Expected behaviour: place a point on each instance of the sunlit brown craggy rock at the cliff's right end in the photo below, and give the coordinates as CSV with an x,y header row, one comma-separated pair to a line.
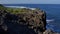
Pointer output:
x,y
36,21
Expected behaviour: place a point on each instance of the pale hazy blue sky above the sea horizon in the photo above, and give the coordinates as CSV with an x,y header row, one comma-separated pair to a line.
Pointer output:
x,y
30,1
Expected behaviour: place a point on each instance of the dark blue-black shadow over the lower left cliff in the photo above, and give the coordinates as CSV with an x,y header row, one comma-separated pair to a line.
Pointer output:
x,y
10,21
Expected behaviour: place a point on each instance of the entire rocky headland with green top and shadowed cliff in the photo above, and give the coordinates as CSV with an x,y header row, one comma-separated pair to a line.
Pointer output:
x,y
23,21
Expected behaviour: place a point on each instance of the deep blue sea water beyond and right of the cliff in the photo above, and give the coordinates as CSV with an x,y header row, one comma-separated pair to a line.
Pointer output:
x,y
52,11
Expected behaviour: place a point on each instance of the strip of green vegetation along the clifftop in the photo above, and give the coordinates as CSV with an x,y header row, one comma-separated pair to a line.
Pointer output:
x,y
16,10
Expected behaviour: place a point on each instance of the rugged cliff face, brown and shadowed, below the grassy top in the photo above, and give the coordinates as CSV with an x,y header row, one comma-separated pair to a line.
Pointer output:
x,y
35,22
